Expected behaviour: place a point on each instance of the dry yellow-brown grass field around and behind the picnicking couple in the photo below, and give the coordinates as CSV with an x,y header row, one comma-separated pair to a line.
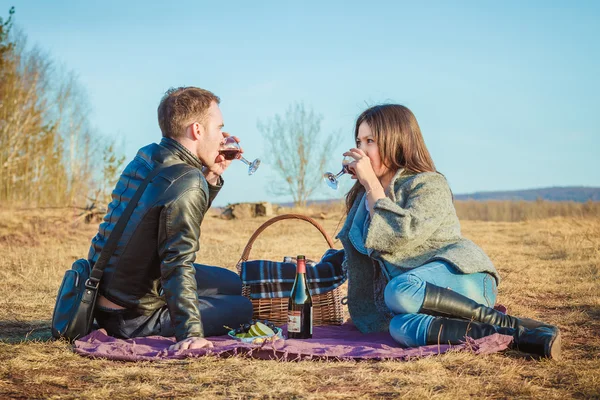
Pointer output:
x,y
551,271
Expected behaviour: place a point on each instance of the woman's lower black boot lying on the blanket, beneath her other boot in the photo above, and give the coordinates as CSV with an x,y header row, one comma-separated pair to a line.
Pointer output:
x,y
540,341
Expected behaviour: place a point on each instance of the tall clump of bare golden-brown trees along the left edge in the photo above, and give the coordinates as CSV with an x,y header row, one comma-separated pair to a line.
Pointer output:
x,y
48,153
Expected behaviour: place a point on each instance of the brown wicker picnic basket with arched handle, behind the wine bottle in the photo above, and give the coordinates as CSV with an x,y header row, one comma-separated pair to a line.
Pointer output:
x,y
327,307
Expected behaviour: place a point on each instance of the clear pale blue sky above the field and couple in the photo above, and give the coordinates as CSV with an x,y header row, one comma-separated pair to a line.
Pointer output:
x,y
507,93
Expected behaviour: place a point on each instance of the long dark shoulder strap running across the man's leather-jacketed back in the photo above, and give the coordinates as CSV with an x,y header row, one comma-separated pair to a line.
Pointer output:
x,y
113,239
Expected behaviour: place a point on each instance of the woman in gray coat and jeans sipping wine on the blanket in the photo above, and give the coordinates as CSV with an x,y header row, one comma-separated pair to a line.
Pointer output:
x,y
409,269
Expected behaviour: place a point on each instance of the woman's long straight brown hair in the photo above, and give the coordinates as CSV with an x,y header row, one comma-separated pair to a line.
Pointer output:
x,y
401,145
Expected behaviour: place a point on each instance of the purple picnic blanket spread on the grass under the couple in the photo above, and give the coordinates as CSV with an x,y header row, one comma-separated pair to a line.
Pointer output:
x,y
343,342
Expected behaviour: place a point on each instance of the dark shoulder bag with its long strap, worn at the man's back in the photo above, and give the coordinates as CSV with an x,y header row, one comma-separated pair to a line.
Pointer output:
x,y
74,309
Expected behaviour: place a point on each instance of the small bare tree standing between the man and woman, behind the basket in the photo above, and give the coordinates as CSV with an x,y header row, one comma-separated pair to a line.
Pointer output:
x,y
297,150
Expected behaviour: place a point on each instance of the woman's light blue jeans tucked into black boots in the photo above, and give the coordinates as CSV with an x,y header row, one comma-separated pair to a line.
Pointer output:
x,y
405,293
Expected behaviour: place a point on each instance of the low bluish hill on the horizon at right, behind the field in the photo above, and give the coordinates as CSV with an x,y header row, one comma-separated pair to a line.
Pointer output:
x,y
575,193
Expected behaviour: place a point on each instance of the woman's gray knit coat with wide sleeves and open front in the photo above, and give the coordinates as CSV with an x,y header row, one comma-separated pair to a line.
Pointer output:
x,y
414,225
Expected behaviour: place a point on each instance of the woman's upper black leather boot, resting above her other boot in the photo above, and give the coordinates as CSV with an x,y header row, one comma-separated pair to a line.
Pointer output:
x,y
444,302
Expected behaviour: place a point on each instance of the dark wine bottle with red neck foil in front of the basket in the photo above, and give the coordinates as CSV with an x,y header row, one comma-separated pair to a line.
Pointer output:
x,y
300,305
